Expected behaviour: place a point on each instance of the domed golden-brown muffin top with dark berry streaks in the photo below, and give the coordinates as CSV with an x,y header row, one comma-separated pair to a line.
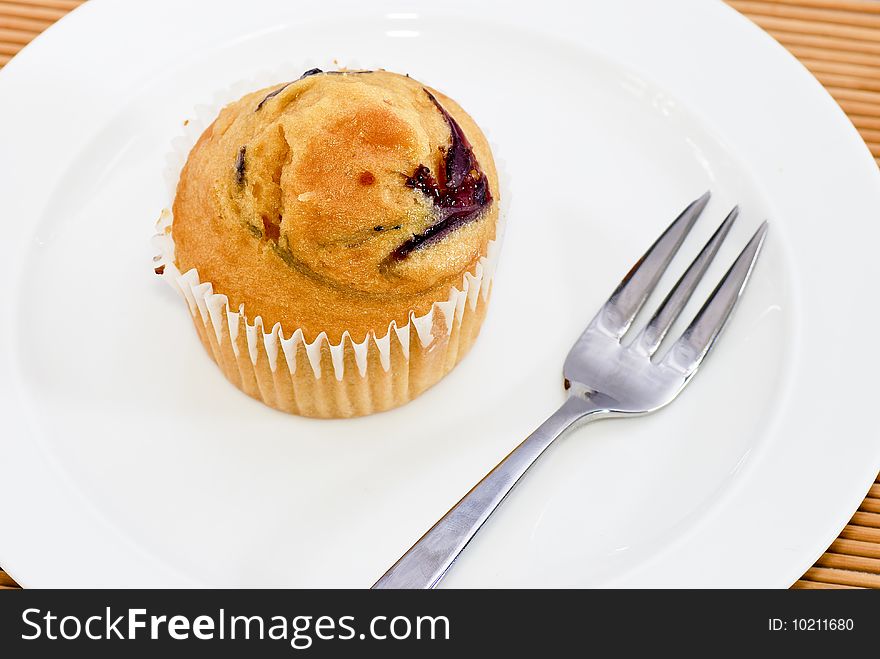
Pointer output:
x,y
340,201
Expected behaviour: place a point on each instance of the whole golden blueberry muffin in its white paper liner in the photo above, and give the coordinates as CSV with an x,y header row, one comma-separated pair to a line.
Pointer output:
x,y
335,235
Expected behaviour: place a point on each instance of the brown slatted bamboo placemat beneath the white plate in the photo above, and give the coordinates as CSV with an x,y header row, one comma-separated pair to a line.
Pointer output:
x,y
839,41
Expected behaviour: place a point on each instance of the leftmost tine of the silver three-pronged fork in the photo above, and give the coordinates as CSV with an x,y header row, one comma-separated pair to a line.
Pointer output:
x,y
618,312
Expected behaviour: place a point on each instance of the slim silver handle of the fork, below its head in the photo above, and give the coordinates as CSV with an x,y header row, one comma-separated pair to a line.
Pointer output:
x,y
424,565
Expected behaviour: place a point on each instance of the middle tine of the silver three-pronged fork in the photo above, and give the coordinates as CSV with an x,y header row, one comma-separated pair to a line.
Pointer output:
x,y
652,335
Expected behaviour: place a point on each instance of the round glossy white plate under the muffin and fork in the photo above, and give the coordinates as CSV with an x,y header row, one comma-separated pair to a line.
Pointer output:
x,y
128,459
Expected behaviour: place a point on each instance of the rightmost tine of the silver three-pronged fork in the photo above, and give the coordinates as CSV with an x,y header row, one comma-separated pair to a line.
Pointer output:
x,y
698,339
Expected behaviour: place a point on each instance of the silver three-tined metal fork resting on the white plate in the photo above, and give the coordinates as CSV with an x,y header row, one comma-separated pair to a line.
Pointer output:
x,y
604,377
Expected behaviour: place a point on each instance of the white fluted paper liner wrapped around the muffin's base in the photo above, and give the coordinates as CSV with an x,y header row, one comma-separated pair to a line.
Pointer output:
x,y
320,378
